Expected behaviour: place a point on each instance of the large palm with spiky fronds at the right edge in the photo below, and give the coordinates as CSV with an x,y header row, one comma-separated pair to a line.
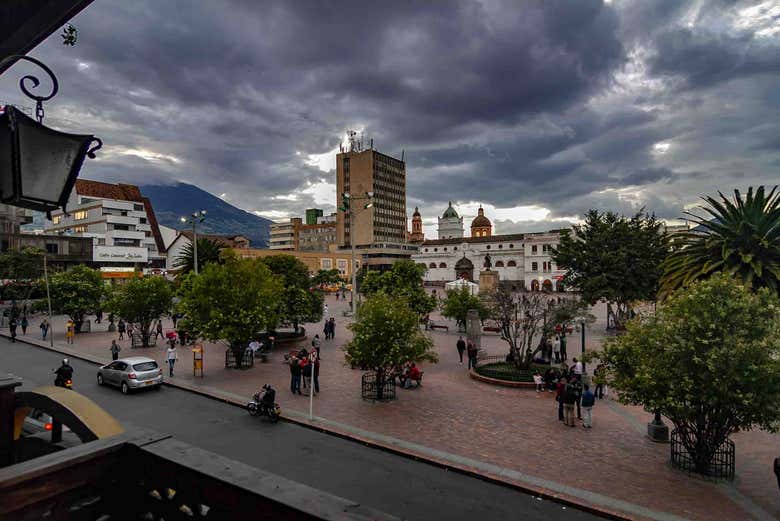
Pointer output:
x,y
739,236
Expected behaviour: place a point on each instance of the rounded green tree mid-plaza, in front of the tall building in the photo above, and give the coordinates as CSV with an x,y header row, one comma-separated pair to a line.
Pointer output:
x,y
386,334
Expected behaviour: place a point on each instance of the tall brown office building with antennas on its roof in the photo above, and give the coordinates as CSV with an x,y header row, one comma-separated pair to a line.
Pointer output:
x,y
380,231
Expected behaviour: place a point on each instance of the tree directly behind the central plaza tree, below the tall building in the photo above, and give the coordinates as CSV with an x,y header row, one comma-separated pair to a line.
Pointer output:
x,y
402,280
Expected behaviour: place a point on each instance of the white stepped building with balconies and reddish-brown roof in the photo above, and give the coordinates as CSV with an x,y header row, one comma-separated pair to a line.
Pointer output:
x,y
120,221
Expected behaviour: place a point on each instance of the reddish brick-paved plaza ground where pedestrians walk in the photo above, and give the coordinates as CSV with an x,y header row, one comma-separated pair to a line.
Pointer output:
x,y
507,434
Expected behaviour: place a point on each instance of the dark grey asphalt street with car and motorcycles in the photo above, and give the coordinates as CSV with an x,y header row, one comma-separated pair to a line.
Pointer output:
x,y
390,483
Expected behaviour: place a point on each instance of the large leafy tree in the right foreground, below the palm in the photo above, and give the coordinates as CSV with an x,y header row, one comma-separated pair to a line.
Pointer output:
x,y
709,360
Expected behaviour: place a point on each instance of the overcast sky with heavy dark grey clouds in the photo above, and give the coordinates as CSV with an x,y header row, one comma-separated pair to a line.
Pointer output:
x,y
538,110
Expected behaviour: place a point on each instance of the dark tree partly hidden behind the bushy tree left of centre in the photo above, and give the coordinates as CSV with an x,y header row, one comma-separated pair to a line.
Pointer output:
x,y
299,304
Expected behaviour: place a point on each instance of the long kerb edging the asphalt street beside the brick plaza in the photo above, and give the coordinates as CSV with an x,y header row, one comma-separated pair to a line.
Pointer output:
x,y
443,464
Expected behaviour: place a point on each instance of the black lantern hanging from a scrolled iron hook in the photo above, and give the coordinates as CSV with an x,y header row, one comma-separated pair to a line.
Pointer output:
x,y
38,165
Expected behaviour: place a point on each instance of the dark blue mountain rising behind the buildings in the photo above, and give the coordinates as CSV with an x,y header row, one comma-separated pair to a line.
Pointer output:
x,y
171,202
